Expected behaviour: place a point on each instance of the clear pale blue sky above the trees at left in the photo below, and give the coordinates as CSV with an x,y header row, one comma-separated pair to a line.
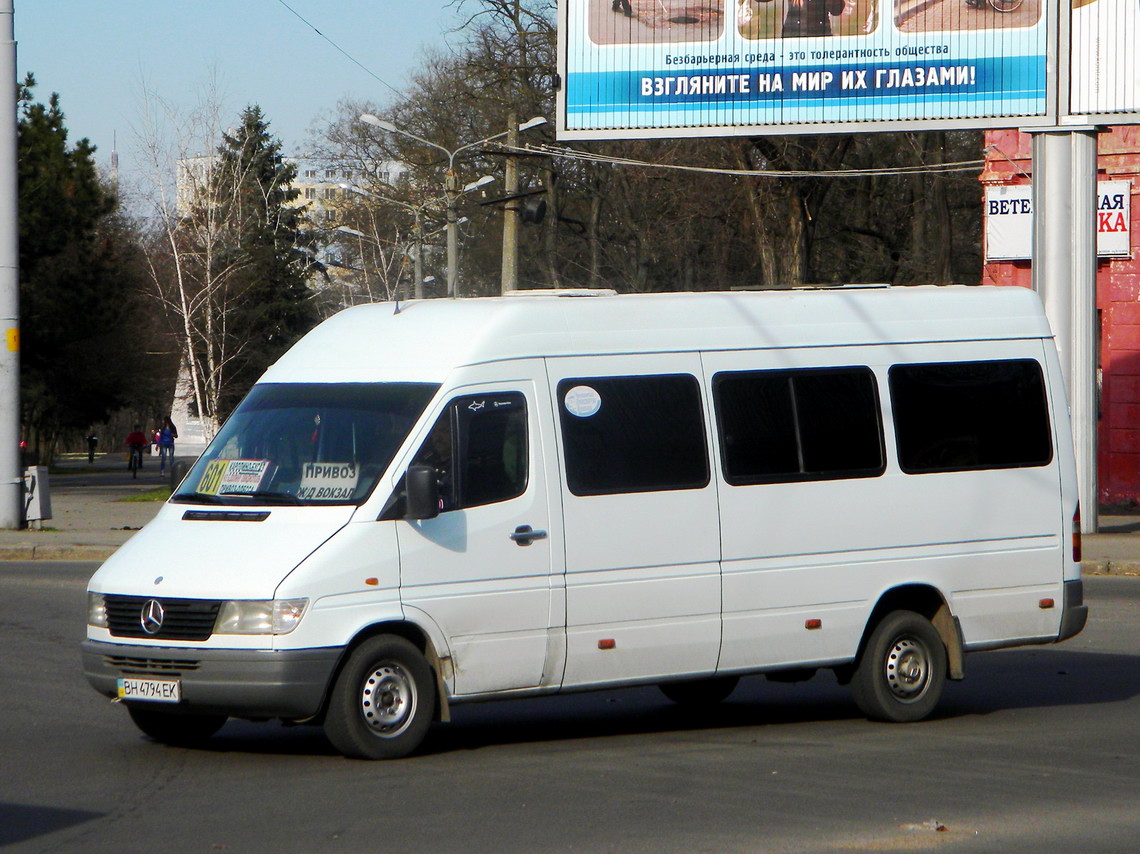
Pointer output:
x,y
102,55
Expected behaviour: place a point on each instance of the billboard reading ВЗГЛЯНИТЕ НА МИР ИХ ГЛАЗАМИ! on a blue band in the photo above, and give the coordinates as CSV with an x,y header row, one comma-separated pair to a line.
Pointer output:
x,y
720,68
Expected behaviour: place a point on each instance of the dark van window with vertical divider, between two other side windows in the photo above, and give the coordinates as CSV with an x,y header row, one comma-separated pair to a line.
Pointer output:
x,y
794,426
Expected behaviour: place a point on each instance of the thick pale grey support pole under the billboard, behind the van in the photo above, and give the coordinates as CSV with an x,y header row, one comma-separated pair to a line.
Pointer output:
x,y
1065,278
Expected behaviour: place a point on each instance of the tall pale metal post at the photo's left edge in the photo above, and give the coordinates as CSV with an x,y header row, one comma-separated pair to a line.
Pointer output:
x,y
11,476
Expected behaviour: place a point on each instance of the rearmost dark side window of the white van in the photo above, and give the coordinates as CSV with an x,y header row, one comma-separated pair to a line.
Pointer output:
x,y
970,416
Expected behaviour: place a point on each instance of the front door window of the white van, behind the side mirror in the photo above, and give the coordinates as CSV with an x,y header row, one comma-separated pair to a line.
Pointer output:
x,y
479,449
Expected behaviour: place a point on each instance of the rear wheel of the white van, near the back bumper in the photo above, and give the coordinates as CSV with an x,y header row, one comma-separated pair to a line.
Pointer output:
x,y
902,673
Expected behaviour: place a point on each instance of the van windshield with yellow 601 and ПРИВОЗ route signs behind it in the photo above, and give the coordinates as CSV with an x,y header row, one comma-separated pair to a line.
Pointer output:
x,y
306,444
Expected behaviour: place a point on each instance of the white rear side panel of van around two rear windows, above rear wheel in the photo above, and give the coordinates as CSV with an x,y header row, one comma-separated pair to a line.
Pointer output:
x,y
827,550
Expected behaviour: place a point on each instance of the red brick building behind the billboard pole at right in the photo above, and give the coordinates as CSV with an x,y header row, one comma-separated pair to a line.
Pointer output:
x,y
1008,162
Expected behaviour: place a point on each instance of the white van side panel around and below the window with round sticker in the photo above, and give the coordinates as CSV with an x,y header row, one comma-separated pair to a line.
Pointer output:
x,y
642,573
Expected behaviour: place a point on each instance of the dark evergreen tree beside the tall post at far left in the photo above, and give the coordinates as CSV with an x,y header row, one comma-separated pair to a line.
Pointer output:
x,y
83,320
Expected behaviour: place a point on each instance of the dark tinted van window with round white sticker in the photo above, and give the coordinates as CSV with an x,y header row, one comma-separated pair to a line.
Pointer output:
x,y
633,434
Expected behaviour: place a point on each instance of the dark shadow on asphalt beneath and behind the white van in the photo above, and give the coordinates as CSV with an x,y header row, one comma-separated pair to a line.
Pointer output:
x,y
996,682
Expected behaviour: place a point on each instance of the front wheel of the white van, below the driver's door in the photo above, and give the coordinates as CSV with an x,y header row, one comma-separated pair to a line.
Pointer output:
x,y
382,702
